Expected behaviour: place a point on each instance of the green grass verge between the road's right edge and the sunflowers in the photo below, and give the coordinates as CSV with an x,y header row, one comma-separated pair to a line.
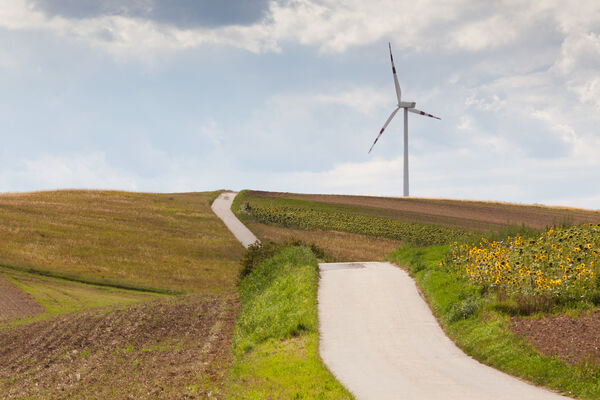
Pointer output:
x,y
472,320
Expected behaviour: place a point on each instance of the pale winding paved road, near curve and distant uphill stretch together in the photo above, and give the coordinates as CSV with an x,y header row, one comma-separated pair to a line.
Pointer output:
x,y
381,341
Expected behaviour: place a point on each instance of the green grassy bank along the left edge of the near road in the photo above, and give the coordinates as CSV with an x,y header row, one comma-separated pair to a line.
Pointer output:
x,y
276,335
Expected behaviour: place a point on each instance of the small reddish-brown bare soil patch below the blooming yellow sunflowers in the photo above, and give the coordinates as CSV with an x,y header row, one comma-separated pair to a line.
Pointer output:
x,y
572,339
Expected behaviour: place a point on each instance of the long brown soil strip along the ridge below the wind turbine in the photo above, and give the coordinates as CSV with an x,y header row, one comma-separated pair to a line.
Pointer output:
x,y
469,214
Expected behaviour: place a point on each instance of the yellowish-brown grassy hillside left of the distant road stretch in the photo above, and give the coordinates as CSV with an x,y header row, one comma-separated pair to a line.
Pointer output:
x,y
134,240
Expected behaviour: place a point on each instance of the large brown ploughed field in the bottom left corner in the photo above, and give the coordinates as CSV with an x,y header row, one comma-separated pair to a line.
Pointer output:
x,y
169,348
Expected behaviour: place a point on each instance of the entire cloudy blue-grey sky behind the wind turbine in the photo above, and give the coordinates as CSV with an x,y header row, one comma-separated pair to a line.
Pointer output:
x,y
288,95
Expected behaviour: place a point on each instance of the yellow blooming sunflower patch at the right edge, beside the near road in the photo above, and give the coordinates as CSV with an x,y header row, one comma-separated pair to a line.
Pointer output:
x,y
557,263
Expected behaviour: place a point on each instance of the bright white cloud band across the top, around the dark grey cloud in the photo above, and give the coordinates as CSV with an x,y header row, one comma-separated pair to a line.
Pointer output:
x,y
330,25
